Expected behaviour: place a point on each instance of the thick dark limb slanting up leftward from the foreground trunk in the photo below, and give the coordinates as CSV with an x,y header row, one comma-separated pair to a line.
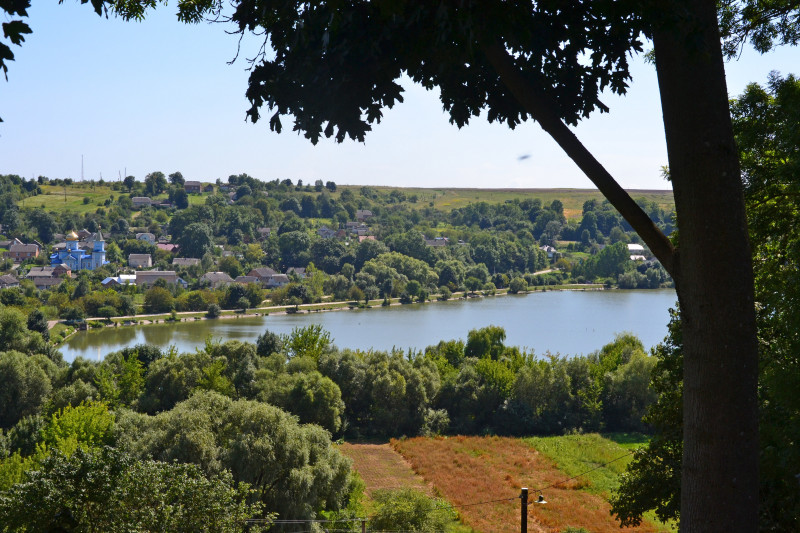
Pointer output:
x,y
539,108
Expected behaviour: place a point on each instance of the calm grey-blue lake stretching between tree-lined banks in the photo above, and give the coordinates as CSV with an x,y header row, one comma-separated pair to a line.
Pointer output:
x,y
566,322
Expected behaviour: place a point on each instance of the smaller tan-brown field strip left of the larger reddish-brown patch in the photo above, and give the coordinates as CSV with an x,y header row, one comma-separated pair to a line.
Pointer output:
x,y
382,468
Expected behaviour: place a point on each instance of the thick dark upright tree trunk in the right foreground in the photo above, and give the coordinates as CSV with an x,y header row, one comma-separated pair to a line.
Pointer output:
x,y
714,278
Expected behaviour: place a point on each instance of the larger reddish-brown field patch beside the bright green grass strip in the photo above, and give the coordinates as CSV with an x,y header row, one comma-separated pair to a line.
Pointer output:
x,y
470,470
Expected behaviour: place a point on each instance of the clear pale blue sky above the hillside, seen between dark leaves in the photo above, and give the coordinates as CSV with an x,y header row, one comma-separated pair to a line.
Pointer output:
x,y
159,95
